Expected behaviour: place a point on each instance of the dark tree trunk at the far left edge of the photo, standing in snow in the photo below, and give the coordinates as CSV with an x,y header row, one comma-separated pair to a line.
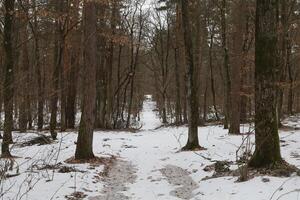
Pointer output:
x,y
8,91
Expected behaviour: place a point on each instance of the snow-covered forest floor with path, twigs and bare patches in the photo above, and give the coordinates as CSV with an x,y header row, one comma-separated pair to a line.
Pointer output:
x,y
146,165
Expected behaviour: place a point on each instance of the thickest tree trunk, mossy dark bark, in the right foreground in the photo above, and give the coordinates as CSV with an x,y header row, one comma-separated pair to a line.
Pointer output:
x,y
267,72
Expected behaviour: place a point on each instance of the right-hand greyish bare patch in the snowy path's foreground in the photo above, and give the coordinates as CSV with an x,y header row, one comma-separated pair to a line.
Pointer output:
x,y
181,178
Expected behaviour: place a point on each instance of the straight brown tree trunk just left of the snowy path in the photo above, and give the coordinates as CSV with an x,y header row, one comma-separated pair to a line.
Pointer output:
x,y
84,147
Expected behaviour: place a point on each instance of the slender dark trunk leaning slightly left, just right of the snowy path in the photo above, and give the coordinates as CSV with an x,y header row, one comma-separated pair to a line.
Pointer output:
x,y
193,142
